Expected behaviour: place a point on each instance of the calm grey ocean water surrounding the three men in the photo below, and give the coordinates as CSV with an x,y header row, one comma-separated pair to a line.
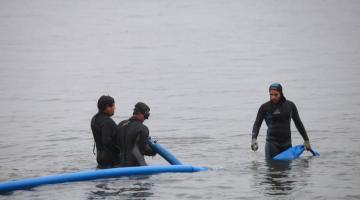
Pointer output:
x,y
204,68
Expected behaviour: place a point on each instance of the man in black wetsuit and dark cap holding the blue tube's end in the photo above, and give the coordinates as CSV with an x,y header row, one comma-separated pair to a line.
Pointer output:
x,y
132,138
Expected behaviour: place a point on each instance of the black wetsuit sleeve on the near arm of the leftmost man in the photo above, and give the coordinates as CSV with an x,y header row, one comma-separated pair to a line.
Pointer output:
x,y
108,133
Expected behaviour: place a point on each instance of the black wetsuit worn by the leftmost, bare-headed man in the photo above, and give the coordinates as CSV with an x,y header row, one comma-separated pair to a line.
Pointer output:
x,y
104,132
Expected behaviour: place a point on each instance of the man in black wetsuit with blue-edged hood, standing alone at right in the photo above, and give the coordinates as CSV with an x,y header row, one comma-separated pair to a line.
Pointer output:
x,y
277,114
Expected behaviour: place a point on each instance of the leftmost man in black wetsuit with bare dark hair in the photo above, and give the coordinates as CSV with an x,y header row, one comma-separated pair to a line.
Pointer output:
x,y
104,132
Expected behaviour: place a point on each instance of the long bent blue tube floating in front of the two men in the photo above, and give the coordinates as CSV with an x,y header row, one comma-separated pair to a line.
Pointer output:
x,y
176,166
